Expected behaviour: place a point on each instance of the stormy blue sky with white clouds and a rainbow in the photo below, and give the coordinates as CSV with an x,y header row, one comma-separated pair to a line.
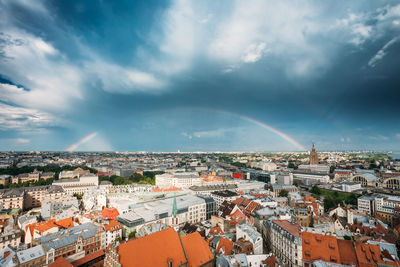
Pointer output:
x,y
199,75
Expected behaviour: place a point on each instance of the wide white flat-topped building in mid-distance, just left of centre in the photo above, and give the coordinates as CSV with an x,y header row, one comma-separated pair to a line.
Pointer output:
x,y
178,179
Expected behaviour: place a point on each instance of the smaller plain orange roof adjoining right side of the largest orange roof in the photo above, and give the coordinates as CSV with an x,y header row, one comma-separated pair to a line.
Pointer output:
x,y
197,249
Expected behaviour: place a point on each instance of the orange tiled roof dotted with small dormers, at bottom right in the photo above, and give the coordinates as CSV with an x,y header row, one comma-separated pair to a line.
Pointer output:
x,y
320,247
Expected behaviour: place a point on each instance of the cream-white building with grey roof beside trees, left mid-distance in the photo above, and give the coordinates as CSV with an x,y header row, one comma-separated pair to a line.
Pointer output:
x,y
78,185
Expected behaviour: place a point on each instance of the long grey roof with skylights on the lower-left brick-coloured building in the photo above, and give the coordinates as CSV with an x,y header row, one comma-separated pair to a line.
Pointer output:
x,y
68,236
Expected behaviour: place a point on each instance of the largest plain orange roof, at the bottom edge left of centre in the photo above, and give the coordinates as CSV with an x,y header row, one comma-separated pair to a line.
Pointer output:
x,y
153,250
